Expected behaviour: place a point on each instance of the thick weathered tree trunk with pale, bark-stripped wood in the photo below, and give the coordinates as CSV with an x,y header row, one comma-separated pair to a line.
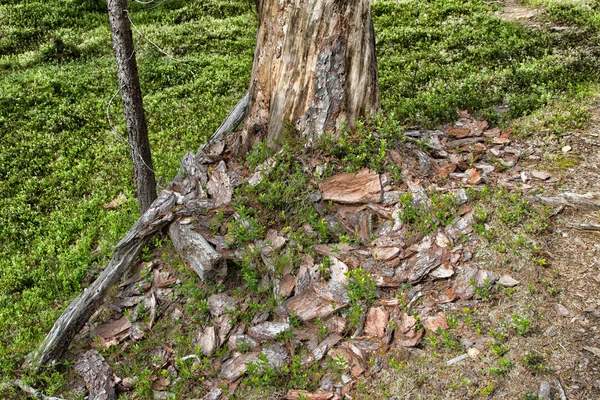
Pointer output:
x,y
314,65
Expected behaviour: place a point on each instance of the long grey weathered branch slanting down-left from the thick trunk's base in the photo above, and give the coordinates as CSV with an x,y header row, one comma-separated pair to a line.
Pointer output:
x,y
170,205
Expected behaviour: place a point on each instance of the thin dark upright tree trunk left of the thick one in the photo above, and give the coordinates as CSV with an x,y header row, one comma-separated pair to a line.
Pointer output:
x,y
131,96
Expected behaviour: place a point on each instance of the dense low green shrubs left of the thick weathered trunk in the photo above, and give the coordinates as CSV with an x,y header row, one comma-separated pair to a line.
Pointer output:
x,y
59,160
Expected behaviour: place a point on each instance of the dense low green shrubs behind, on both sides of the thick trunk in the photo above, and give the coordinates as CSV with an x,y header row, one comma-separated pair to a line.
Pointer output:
x,y
60,161
